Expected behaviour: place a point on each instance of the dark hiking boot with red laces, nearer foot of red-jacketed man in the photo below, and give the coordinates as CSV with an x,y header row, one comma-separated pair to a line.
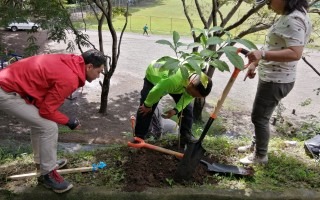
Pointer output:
x,y
54,181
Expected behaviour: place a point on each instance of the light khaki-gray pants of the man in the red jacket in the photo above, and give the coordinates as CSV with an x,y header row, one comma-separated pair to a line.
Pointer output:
x,y
44,133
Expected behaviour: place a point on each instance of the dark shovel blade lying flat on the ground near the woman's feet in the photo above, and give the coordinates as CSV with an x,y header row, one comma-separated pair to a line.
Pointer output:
x,y
228,169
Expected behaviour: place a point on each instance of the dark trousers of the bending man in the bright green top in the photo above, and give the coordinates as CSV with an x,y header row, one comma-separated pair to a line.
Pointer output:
x,y
143,122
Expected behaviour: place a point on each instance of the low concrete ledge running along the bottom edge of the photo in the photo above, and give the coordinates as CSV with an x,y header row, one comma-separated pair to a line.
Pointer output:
x,y
97,193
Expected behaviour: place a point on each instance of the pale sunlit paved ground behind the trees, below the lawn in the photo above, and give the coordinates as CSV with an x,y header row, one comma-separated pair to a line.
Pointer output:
x,y
137,51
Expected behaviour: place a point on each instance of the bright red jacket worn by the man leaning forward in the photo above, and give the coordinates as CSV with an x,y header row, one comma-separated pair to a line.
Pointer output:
x,y
45,81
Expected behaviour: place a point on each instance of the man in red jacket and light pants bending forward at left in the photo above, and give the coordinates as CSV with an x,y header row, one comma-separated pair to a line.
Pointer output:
x,y
34,88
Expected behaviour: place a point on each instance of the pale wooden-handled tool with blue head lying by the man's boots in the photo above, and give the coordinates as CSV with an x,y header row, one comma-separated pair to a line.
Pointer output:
x,y
94,167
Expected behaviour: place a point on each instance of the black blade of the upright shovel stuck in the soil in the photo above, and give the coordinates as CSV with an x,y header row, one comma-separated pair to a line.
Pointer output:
x,y
189,162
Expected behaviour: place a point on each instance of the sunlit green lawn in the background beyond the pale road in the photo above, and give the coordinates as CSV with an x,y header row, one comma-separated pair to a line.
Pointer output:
x,y
166,16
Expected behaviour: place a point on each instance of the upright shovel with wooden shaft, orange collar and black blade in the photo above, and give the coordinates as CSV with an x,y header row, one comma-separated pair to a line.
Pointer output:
x,y
195,151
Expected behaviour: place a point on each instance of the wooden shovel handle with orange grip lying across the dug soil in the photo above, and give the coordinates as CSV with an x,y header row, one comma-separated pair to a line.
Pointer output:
x,y
140,143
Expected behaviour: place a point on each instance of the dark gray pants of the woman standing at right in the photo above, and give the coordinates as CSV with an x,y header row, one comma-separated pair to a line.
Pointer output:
x,y
267,98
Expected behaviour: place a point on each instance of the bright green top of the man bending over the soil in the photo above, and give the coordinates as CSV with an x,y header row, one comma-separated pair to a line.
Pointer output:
x,y
165,84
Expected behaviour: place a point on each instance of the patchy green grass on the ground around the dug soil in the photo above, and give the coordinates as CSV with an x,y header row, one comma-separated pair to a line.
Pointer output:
x,y
288,167
